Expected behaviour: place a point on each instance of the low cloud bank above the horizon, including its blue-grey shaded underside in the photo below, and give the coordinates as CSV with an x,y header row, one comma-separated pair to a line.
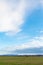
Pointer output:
x,y
34,45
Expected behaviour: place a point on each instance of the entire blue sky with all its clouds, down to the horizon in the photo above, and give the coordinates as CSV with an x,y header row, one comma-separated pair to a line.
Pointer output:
x,y
21,27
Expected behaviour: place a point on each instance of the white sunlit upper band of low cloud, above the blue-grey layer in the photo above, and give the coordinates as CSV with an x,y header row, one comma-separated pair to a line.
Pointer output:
x,y
34,43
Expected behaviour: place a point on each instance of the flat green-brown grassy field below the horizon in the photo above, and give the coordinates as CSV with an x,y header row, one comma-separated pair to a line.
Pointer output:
x,y
21,60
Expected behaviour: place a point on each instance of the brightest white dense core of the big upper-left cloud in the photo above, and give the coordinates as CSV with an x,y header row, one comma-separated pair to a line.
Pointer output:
x,y
9,20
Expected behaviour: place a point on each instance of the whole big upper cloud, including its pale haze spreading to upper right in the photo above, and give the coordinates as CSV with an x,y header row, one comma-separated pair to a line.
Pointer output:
x,y
12,14
